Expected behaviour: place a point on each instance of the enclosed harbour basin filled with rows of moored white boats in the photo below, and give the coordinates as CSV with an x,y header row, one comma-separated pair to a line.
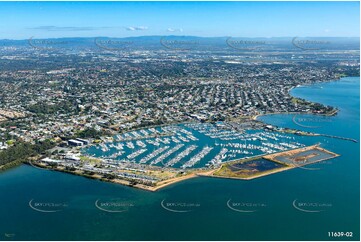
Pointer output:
x,y
192,145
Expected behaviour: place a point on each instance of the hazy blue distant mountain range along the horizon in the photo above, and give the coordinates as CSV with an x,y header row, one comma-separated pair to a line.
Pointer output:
x,y
189,42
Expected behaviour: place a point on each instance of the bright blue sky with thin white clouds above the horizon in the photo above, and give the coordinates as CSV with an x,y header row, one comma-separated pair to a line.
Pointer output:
x,y
22,20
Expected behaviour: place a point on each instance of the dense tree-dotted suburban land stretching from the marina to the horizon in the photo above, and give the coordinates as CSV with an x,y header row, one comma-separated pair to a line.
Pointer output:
x,y
53,100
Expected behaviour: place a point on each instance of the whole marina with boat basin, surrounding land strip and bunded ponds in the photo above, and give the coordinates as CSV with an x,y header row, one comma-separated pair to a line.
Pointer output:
x,y
153,158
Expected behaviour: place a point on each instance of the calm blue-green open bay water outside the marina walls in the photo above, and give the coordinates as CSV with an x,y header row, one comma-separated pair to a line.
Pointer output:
x,y
332,187
